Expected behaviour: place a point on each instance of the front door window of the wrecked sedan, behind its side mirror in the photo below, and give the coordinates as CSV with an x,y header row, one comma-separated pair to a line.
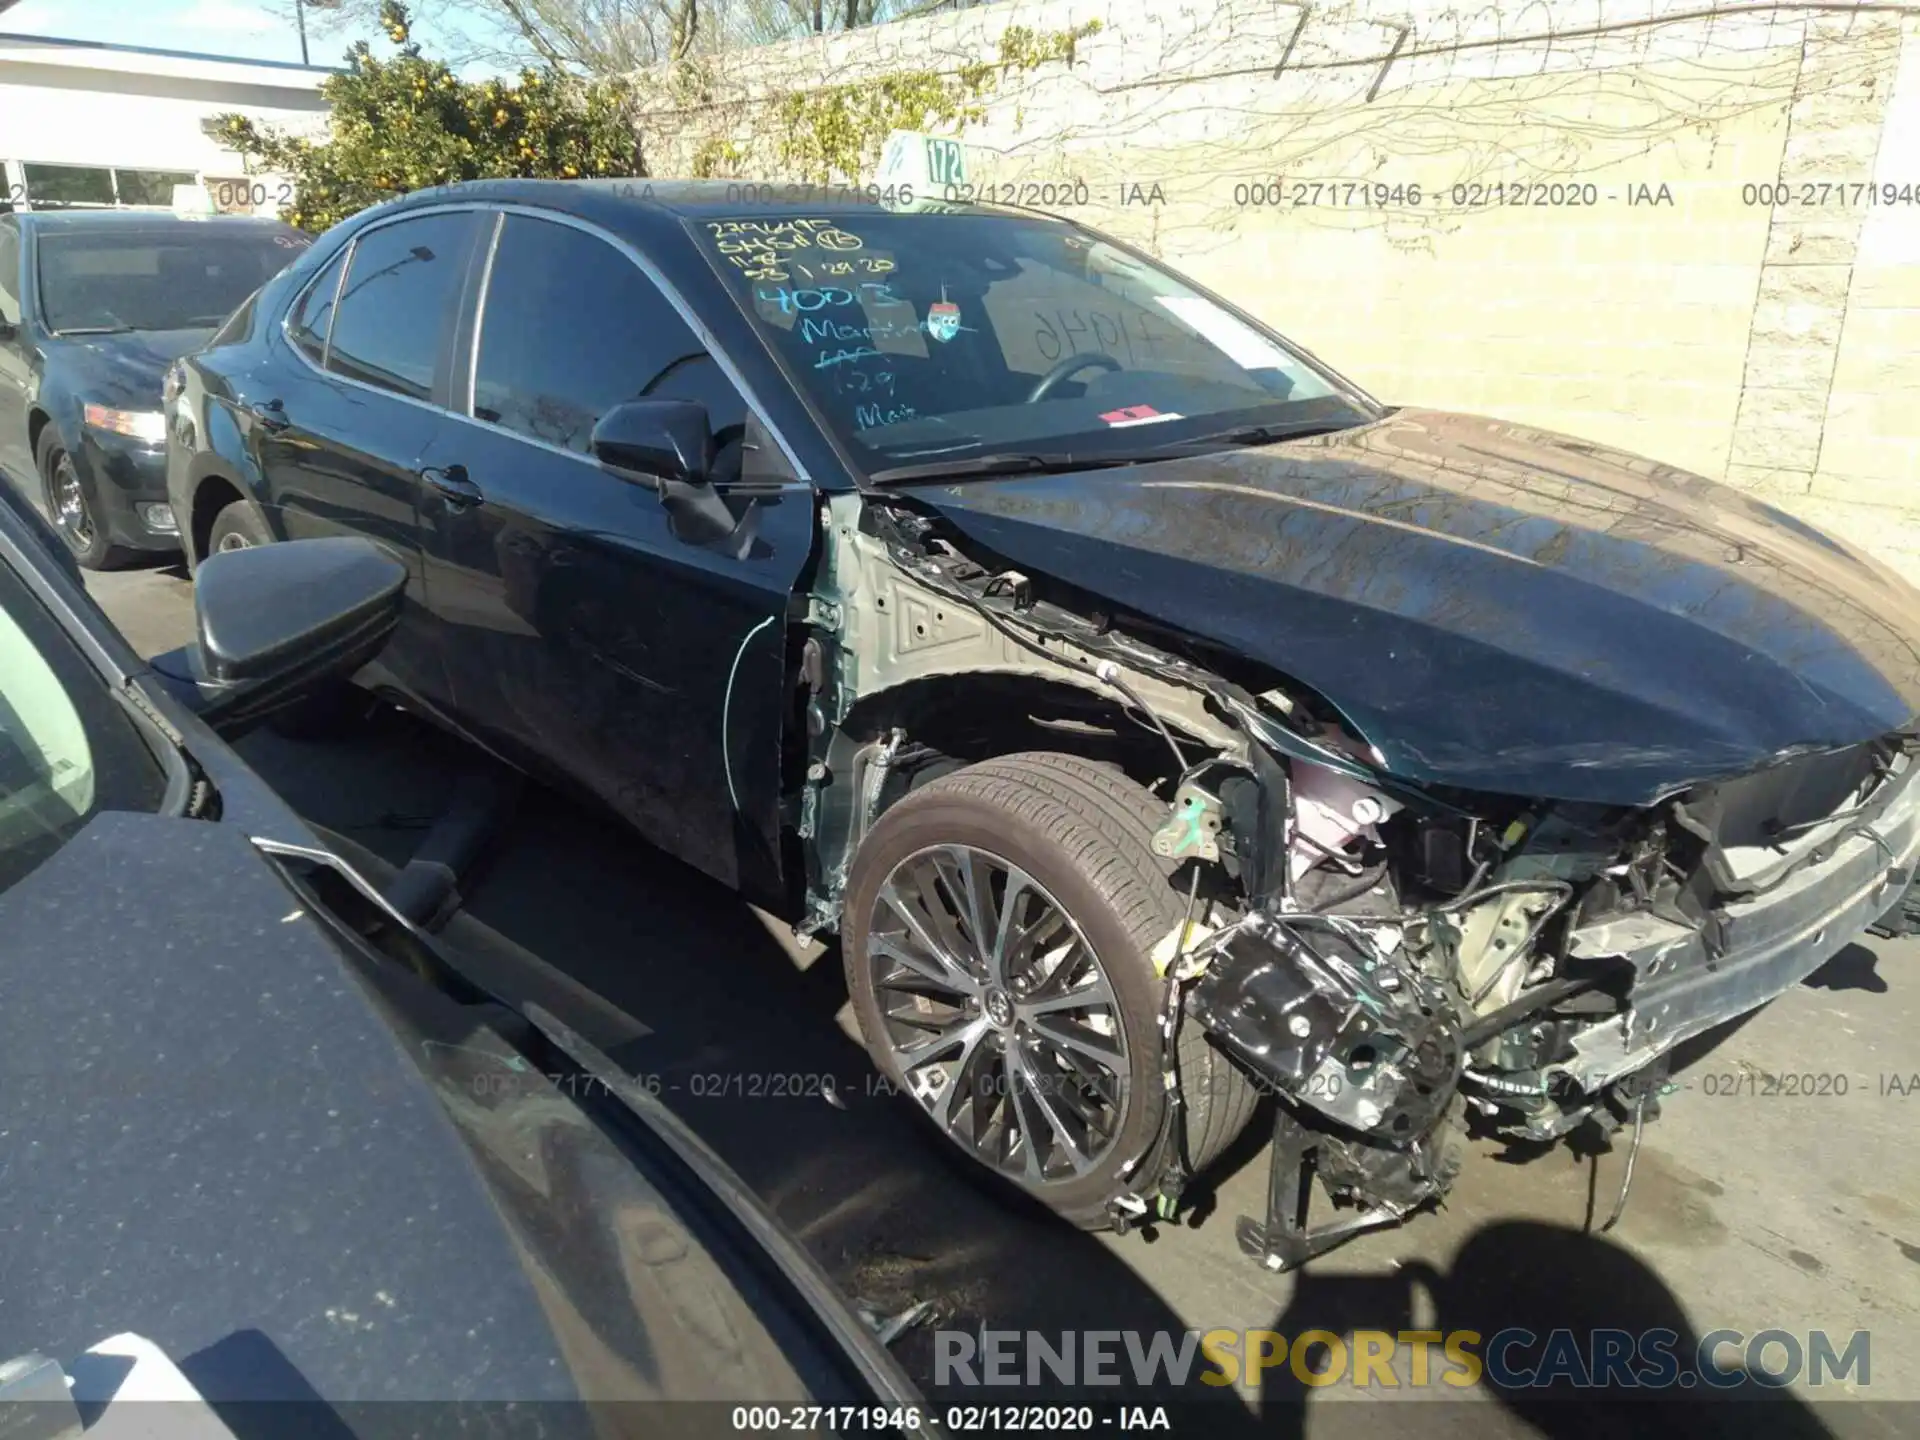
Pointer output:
x,y
573,327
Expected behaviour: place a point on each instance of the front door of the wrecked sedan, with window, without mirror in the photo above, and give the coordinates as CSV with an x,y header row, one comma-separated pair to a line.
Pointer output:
x,y
594,642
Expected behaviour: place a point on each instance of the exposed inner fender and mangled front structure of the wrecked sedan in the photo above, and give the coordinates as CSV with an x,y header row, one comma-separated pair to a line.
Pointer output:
x,y
1395,963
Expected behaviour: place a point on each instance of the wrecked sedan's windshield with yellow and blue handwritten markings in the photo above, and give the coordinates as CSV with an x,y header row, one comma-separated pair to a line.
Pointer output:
x,y
938,337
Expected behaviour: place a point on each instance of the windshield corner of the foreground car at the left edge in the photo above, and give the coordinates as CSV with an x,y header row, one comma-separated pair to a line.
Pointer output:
x,y
66,750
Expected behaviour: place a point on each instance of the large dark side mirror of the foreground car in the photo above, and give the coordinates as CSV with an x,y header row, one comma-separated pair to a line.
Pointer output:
x,y
279,621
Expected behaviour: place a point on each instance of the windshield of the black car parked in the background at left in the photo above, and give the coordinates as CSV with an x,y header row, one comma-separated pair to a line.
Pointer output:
x,y
180,279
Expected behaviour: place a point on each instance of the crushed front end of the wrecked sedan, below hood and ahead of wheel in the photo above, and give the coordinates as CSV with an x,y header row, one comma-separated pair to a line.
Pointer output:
x,y
1408,963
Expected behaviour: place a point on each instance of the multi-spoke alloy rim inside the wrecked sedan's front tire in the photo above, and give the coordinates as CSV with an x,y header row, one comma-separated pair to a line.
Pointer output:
x,y
999,1015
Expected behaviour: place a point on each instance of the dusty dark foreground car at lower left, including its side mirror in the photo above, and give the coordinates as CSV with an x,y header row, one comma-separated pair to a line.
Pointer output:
x,y
258,1118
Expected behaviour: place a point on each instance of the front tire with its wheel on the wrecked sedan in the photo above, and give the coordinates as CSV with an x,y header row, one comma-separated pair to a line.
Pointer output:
x,y
1078,832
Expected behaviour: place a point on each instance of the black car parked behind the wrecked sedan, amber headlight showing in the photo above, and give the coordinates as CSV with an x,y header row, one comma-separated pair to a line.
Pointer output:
x,y
93,310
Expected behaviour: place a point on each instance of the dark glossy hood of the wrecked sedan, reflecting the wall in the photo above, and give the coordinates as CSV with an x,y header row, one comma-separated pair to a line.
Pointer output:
x,y
1493,606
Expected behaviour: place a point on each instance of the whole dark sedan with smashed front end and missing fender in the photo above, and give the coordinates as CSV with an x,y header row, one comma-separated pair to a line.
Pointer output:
x,y
1155,715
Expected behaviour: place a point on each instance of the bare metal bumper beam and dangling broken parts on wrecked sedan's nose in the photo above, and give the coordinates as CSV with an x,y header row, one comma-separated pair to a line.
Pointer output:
x,y
1376,1055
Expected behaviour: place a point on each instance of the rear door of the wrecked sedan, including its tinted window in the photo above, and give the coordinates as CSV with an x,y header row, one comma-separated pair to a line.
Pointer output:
x,y
341,439
